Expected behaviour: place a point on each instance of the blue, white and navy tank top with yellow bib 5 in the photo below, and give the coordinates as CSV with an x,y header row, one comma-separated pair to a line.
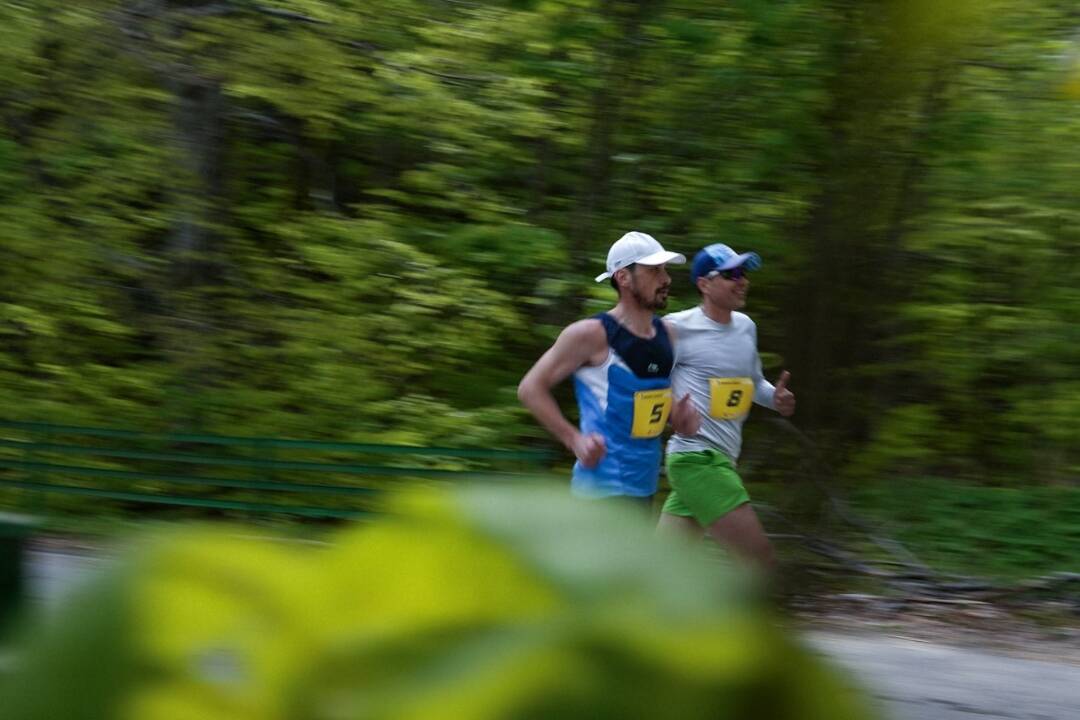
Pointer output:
x,y
627,400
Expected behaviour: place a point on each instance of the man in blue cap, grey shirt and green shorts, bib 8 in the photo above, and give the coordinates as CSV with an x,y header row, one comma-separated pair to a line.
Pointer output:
x,y
719,365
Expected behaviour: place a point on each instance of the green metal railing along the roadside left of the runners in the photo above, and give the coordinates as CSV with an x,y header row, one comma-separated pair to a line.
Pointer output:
x,y
46,467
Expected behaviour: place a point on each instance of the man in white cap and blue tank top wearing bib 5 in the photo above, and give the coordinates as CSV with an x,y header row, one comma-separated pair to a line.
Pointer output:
x,y
622,363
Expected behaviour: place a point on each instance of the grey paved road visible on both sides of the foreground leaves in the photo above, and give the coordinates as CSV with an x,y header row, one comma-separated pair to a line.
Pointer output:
x,y
913,681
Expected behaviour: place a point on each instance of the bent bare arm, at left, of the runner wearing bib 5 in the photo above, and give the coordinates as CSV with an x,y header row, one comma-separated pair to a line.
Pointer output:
x,y
582,344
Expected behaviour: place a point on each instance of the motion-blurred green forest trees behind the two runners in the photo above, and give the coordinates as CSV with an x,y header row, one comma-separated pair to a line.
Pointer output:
x,y
363,221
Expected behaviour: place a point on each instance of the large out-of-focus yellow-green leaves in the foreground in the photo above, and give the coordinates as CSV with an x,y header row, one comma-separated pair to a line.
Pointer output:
x,y
477,603
